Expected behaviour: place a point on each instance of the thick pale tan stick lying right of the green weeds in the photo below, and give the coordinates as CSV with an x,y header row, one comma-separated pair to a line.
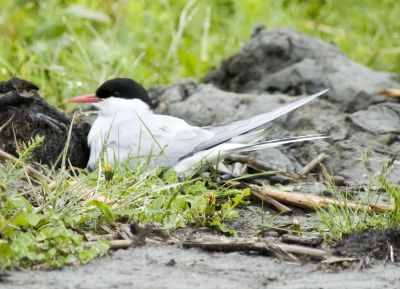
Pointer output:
x,y
314,202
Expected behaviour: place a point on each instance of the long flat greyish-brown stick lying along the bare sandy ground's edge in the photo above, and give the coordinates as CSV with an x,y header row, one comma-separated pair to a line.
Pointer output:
x,y
262,247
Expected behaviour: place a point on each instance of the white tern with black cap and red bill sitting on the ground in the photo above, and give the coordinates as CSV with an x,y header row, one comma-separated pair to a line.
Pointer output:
x,y
127,129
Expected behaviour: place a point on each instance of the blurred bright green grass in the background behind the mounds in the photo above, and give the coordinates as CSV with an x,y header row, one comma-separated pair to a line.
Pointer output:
x,y
69,47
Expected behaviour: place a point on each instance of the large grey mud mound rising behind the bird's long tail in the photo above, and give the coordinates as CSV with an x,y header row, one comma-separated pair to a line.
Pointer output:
x,y
286,61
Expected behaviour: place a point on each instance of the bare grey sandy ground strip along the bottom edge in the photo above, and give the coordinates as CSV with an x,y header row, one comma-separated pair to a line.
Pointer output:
x,y
166,266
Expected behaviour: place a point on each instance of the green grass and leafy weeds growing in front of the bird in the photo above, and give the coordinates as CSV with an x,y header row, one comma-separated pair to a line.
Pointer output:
x,y
44,221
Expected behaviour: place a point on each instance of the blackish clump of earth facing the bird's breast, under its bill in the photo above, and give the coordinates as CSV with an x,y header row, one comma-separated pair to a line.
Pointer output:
x,y
29,116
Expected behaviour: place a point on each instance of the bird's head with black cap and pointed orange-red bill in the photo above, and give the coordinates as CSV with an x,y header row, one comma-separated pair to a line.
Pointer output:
x,y
116,88
